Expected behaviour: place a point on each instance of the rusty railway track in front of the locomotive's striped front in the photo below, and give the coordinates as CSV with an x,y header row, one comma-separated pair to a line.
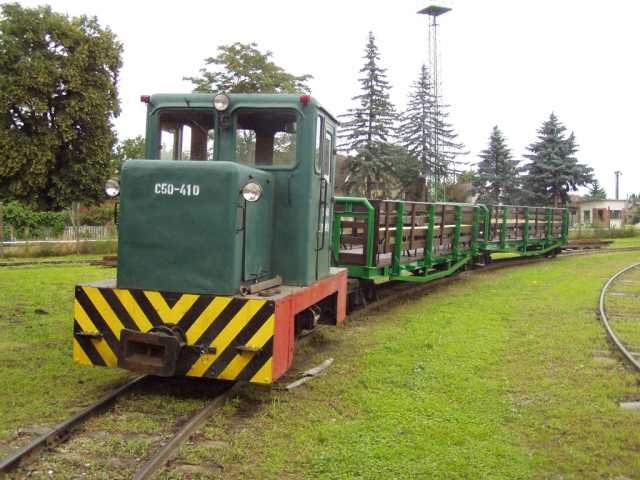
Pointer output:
x,y
47,445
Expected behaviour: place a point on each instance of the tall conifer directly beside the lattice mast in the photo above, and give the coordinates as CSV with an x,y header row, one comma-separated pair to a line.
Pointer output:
x,y
419,123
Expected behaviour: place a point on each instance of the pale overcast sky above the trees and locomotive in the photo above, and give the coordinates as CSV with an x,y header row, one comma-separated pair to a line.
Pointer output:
x,y
505,63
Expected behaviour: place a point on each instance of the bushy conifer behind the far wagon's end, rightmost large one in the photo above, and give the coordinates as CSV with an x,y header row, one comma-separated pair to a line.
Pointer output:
x,y
554,170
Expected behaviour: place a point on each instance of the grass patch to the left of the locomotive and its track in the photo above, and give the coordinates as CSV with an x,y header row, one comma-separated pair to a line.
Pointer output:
x,y
40,382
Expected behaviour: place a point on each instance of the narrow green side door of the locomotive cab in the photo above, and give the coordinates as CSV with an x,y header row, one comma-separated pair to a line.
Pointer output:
x,y
325,165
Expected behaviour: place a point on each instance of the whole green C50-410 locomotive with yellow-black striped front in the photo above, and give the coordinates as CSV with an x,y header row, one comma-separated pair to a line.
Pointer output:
x,y
223,242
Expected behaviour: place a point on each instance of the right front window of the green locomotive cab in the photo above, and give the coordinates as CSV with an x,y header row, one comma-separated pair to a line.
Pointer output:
x,y
266,137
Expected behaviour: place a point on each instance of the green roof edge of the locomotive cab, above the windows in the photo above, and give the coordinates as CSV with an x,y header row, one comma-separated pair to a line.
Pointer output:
x,y
205,100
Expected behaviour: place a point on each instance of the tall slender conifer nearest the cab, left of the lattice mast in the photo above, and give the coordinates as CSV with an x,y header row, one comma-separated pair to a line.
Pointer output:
x,y
367,129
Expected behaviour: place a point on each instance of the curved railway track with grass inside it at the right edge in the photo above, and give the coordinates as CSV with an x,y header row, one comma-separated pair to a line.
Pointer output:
x,y
619,309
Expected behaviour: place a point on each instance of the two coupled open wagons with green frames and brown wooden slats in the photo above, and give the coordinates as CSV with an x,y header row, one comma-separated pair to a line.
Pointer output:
x,y
382,240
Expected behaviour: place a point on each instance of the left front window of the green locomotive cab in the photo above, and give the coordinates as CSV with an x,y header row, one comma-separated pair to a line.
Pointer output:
x,y
186,134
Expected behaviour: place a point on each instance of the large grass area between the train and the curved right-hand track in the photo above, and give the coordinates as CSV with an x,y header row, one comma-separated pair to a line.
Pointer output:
x,y
499,375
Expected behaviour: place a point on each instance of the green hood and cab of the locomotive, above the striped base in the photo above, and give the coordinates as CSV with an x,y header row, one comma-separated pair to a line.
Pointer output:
x,y
207,164
